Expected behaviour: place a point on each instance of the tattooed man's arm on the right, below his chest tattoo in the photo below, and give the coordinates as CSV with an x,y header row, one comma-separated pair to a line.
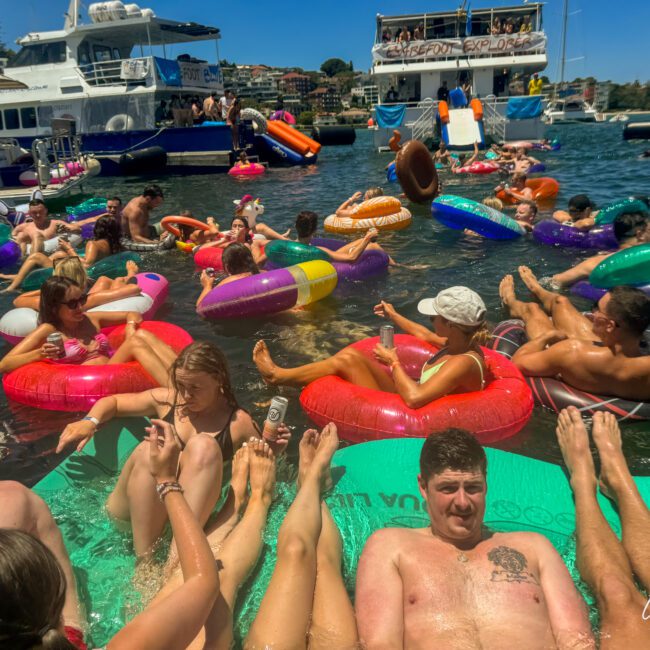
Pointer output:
x,y
566,609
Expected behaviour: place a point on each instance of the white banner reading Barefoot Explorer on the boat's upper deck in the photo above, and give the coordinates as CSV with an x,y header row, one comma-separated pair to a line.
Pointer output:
x,y
451,47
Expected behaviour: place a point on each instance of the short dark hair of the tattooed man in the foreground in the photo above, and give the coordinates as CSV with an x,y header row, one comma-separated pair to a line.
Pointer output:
x,y
454,449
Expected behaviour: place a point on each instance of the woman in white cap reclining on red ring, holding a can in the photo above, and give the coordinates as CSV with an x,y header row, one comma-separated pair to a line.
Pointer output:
x,y
458,317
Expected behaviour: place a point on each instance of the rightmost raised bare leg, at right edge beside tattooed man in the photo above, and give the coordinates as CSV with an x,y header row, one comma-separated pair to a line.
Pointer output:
x,y
619,484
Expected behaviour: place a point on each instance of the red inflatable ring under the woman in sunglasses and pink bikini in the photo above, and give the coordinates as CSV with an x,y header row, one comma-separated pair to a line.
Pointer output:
x,y
69,387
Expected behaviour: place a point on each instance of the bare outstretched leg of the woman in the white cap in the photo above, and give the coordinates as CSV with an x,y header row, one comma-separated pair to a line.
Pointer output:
x,y
347,364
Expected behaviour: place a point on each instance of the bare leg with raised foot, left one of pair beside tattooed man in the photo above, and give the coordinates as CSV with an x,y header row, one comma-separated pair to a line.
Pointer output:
x,y
283,618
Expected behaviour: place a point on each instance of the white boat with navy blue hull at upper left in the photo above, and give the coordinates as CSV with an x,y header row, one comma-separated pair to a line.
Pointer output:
x,y
113,82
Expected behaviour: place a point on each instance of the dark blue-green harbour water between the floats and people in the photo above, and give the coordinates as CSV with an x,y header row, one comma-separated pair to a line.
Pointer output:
x,y
593,159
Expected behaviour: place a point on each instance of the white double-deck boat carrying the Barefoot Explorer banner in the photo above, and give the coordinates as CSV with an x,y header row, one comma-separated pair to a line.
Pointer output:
x,y
419,59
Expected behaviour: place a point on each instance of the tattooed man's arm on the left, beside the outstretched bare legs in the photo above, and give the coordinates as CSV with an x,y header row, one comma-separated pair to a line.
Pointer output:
x,y
379,599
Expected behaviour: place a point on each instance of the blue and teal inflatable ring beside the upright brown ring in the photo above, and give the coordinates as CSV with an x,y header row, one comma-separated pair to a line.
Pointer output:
x,y
459,213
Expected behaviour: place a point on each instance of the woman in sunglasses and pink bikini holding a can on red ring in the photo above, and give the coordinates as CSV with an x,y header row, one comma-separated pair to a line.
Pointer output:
x,y
62,309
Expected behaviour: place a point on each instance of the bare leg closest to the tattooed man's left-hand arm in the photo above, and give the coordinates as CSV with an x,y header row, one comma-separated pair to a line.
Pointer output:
x,y
333,624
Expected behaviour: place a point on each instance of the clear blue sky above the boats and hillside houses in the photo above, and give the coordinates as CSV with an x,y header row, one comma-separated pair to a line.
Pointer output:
x,y
602,42
